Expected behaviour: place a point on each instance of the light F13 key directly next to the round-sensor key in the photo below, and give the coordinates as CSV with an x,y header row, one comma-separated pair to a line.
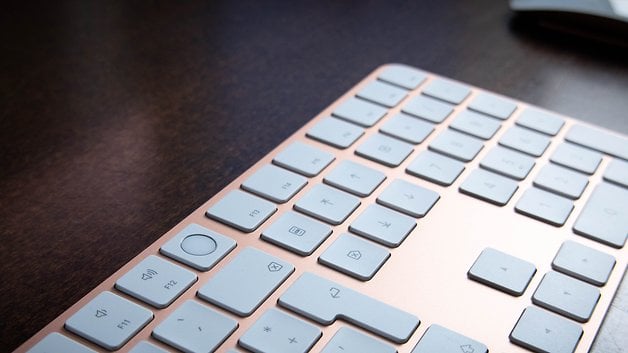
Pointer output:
x,y
241,210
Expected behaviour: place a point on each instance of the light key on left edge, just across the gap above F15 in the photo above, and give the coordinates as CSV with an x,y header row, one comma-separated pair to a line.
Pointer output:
x,y
335,132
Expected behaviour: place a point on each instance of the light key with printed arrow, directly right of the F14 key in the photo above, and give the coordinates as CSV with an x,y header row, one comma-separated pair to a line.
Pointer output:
x,y
327,204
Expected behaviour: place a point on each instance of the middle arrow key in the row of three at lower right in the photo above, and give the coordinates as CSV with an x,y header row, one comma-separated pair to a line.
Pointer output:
x,y
566,296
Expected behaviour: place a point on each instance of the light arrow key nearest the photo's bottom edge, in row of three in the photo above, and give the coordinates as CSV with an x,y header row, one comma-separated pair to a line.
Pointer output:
x,y
541,332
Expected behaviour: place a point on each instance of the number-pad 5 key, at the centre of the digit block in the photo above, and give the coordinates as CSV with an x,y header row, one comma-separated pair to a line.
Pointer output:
x,y
508,163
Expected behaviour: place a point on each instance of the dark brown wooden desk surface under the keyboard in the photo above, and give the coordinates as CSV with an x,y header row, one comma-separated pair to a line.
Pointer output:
x,y
119,118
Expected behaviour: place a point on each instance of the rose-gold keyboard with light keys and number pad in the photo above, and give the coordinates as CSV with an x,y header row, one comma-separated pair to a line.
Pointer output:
x,y
414,214
